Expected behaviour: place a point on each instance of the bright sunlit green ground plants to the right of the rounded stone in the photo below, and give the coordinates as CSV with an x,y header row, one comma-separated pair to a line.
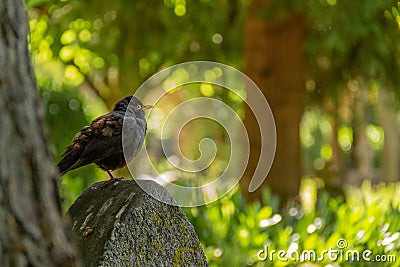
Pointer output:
x,y
233,232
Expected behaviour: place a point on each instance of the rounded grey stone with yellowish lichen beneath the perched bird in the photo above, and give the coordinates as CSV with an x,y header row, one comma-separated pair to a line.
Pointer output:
x,y
119,224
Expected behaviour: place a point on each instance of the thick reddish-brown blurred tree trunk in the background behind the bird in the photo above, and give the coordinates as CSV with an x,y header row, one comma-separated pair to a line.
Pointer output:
x,y
275,62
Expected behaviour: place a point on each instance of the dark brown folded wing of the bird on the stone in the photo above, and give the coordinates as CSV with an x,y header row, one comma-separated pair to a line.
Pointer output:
x,y
97,141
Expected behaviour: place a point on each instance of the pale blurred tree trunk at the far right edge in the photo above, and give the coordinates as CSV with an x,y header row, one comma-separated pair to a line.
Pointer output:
x,y
391,150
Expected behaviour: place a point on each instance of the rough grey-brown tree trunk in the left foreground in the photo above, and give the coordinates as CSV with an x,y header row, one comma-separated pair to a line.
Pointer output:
x,y
31,227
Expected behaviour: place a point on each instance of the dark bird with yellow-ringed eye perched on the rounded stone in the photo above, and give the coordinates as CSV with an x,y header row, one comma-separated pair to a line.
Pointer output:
x,y
102,142
